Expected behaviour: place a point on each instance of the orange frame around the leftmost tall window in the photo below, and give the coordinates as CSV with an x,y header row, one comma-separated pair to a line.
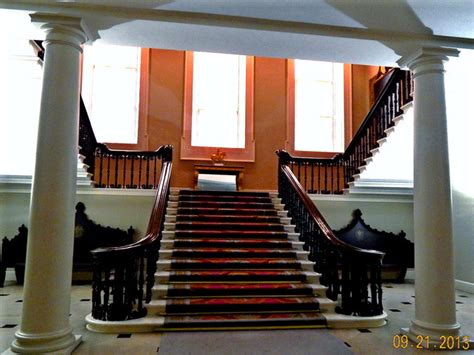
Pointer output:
x,y
143,95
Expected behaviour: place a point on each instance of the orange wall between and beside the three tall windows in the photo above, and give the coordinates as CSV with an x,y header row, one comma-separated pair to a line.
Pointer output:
x,y
165,115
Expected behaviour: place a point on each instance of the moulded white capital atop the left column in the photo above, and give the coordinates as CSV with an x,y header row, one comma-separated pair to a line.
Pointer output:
x,y
67,30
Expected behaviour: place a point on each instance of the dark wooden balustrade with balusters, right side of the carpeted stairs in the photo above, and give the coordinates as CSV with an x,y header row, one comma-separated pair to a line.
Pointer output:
x,y
347,271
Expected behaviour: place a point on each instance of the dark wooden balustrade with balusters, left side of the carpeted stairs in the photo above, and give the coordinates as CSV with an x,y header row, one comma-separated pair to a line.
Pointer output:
x,y
128,272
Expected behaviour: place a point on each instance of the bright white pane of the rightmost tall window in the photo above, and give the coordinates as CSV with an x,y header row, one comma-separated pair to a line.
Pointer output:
x,y
318,106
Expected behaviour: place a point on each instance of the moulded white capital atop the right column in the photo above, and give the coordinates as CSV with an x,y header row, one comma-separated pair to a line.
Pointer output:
x,y
427,59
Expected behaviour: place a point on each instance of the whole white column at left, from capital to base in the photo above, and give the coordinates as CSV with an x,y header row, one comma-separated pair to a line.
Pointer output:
x,y
45,317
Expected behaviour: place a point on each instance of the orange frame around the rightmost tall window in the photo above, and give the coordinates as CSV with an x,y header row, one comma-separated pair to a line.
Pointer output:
x,y
290,114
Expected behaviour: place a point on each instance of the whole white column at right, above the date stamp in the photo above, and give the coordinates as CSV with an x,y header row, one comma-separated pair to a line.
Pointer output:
x,y
435,306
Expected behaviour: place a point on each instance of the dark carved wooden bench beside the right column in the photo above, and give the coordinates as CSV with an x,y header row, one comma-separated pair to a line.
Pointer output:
x,y
399,251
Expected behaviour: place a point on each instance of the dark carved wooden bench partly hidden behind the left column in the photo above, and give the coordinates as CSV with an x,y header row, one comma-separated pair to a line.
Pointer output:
x,y
88,235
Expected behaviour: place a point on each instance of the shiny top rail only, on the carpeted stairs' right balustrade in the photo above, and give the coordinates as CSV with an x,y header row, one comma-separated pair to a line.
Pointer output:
x,y
321,221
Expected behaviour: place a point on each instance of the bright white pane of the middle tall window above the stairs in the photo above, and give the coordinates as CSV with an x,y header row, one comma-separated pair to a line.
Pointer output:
x,y
219,82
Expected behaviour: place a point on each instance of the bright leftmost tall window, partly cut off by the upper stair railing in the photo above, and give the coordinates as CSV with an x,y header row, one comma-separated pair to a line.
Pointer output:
x,y
111,90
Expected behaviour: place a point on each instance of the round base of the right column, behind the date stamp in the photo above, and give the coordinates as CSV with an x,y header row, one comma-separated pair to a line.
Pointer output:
x,y
437,337
